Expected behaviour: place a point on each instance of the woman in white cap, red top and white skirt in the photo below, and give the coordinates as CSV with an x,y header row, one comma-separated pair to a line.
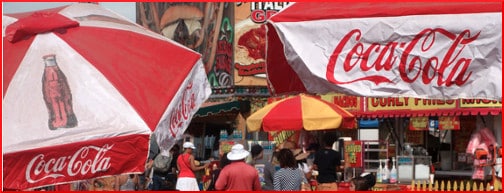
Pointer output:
x,y
185,163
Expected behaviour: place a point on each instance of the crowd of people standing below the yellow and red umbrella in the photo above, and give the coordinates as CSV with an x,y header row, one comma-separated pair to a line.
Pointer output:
x,y
286,170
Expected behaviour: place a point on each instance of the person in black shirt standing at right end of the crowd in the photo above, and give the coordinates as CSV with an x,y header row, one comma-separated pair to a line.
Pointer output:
x,y
327,162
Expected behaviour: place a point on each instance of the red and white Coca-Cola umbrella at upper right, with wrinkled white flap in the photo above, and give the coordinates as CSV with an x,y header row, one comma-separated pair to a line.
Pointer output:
x,y
436,50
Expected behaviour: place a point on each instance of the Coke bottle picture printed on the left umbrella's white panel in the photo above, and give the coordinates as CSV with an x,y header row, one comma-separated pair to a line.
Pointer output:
x,y
57,95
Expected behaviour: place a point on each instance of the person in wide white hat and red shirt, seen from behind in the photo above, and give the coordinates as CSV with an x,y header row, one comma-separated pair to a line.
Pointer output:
x,y
238,175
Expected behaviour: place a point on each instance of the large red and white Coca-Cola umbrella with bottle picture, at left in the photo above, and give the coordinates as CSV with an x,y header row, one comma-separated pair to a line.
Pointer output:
x,y
84,89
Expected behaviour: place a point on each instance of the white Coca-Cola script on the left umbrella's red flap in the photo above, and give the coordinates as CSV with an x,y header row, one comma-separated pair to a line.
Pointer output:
x,y
88,159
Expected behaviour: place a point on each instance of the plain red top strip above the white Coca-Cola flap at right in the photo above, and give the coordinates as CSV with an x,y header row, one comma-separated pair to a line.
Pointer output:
x,y
339,10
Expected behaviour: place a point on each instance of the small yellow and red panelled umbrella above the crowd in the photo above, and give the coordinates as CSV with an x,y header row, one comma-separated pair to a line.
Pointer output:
x,y
298,112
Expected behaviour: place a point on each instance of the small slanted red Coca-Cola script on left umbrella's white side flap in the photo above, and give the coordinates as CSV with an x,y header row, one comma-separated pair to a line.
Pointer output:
x,y
183,110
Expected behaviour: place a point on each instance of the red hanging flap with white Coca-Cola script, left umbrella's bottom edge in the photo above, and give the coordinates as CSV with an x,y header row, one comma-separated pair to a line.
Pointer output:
x,y
75,161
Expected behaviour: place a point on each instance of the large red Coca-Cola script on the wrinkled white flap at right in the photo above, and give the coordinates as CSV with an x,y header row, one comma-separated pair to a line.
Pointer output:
x,y
451,68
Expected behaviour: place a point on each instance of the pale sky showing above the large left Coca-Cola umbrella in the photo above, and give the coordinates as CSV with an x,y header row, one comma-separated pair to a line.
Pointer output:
x,y
126,9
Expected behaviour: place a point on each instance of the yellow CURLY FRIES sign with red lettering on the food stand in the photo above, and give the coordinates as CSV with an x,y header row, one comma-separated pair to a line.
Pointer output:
x,y
407,103
